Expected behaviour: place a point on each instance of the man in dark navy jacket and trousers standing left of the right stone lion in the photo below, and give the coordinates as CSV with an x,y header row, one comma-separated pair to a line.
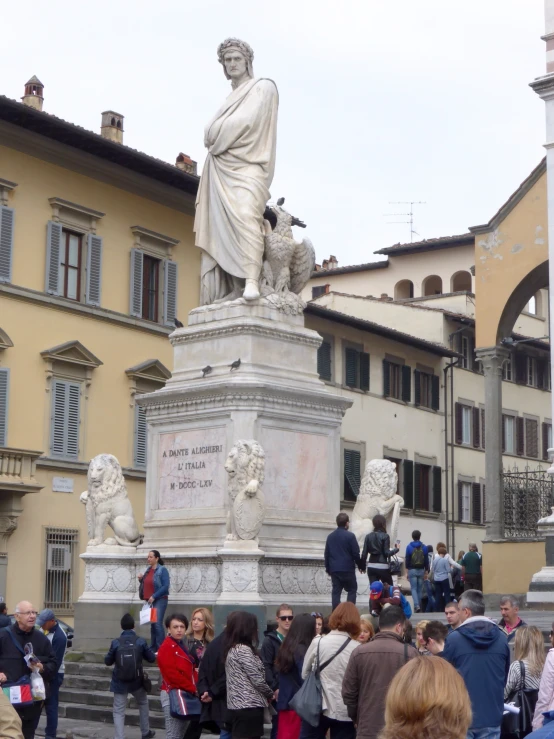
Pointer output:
x,y
342,556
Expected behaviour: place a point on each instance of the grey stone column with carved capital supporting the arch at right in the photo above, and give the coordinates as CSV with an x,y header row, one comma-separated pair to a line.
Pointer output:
x,y
492,359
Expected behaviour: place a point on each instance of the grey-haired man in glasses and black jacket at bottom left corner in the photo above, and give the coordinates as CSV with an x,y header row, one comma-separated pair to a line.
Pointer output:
x,y
13,666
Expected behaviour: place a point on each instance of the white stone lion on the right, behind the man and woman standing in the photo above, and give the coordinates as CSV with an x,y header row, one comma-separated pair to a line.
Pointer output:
x,y
377,496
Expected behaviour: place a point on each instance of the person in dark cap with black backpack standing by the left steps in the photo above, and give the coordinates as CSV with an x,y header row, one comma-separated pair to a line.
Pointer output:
x,y
126,654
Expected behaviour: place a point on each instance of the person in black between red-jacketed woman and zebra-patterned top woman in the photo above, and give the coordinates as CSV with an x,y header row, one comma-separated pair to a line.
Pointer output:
x,y
212,685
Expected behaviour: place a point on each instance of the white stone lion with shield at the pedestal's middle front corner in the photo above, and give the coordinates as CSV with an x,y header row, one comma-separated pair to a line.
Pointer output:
x,y
245,467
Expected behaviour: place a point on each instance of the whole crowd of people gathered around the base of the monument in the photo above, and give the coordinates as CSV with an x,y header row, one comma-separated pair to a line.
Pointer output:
x,y
376,676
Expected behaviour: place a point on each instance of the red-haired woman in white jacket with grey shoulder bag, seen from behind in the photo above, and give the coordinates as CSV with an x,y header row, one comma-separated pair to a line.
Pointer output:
x,y
336,646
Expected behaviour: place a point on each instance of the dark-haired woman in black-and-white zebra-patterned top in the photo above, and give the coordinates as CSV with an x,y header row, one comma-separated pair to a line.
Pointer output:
x,y
248,694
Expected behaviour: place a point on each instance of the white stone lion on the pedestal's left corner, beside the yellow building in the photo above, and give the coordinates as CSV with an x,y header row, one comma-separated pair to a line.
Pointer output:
x,y
107,504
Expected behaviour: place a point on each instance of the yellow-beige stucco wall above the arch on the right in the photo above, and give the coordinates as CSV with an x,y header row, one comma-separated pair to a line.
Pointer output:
x,y
505,255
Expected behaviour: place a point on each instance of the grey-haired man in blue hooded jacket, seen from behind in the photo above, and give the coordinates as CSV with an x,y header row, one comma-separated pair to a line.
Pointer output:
x,y
479,651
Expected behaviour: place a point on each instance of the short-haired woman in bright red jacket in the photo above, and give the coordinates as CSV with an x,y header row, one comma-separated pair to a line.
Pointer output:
x,y
177,668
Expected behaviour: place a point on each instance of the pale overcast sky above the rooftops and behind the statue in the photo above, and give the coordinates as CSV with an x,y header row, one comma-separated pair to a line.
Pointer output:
x,y
380,100
